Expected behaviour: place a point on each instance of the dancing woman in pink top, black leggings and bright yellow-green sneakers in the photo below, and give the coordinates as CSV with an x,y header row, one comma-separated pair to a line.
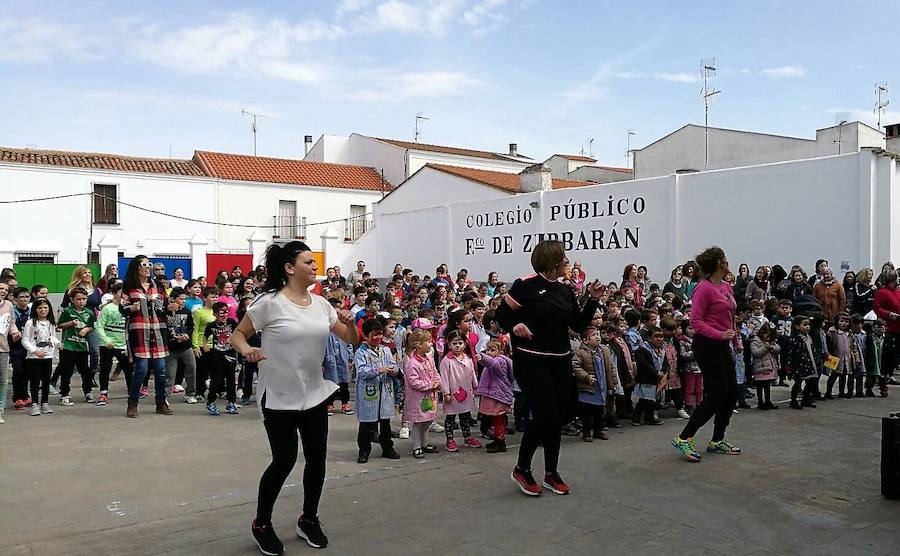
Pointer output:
x,y
715,344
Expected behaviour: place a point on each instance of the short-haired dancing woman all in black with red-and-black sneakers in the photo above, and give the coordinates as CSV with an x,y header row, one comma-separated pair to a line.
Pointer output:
x,y
539,311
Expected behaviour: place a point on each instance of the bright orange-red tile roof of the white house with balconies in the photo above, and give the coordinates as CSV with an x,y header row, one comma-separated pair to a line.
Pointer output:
x,y
284,170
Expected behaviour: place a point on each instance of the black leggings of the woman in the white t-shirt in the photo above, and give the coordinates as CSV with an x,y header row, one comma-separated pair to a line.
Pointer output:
x,y
282,428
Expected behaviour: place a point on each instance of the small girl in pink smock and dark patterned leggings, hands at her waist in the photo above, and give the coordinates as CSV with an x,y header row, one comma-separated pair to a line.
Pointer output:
x,y
459,384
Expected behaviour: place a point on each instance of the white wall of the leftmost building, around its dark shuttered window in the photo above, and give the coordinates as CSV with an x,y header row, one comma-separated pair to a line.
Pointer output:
x,y
63,225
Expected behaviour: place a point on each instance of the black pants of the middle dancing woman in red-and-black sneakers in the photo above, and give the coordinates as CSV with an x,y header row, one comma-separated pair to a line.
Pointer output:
x,y
547,386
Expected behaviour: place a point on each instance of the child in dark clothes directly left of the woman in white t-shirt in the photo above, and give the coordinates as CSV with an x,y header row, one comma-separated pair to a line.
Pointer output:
x,y
221,358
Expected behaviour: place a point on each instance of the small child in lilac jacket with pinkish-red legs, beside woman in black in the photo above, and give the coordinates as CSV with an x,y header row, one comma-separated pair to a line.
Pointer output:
x,y
496,391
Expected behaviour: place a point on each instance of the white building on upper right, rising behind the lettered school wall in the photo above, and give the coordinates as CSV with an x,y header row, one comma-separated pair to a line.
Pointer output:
x,y
686,148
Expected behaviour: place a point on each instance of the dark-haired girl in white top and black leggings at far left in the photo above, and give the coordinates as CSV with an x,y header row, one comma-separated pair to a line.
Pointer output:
x,y
39,339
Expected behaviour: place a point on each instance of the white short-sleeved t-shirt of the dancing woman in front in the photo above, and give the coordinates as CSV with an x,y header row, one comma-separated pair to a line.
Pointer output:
x,y
293,341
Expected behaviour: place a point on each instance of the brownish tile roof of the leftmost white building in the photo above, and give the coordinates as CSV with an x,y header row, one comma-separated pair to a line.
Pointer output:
x,y
101,161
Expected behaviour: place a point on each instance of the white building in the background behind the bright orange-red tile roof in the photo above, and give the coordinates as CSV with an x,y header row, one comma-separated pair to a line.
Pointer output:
x,y
399,160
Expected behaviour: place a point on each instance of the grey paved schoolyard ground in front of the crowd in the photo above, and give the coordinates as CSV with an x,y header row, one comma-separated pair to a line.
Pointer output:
x,y
86,480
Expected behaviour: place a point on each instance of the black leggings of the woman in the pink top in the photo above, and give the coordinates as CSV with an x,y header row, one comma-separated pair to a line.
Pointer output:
x,y
719,387
